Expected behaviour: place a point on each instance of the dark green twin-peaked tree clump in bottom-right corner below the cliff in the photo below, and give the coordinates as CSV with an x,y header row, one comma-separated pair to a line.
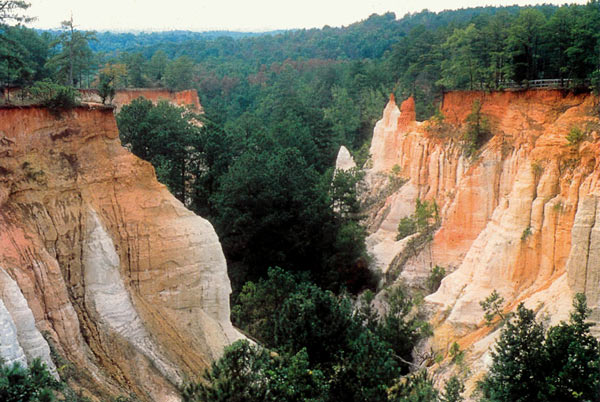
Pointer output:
x,y
559,365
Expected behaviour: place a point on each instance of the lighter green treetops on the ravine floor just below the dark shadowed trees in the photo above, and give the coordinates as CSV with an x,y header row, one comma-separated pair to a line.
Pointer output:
x,y
359,351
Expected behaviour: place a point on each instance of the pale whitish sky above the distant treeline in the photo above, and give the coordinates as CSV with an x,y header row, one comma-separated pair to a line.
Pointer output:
x,y
241,15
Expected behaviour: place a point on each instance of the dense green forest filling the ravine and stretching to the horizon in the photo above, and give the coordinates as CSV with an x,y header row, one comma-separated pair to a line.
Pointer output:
x,y
260,167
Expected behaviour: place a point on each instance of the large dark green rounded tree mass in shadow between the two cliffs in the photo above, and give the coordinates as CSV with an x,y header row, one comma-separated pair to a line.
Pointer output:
x,y
276,209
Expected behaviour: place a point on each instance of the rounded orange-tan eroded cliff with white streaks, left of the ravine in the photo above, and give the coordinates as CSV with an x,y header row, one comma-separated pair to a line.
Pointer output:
x,y
100,266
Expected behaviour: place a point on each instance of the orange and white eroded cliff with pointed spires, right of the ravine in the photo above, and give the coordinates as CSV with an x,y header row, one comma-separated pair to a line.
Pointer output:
x,y
519,216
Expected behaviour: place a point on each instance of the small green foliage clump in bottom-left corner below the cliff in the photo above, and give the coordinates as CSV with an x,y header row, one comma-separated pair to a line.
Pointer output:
x,y
33,384
